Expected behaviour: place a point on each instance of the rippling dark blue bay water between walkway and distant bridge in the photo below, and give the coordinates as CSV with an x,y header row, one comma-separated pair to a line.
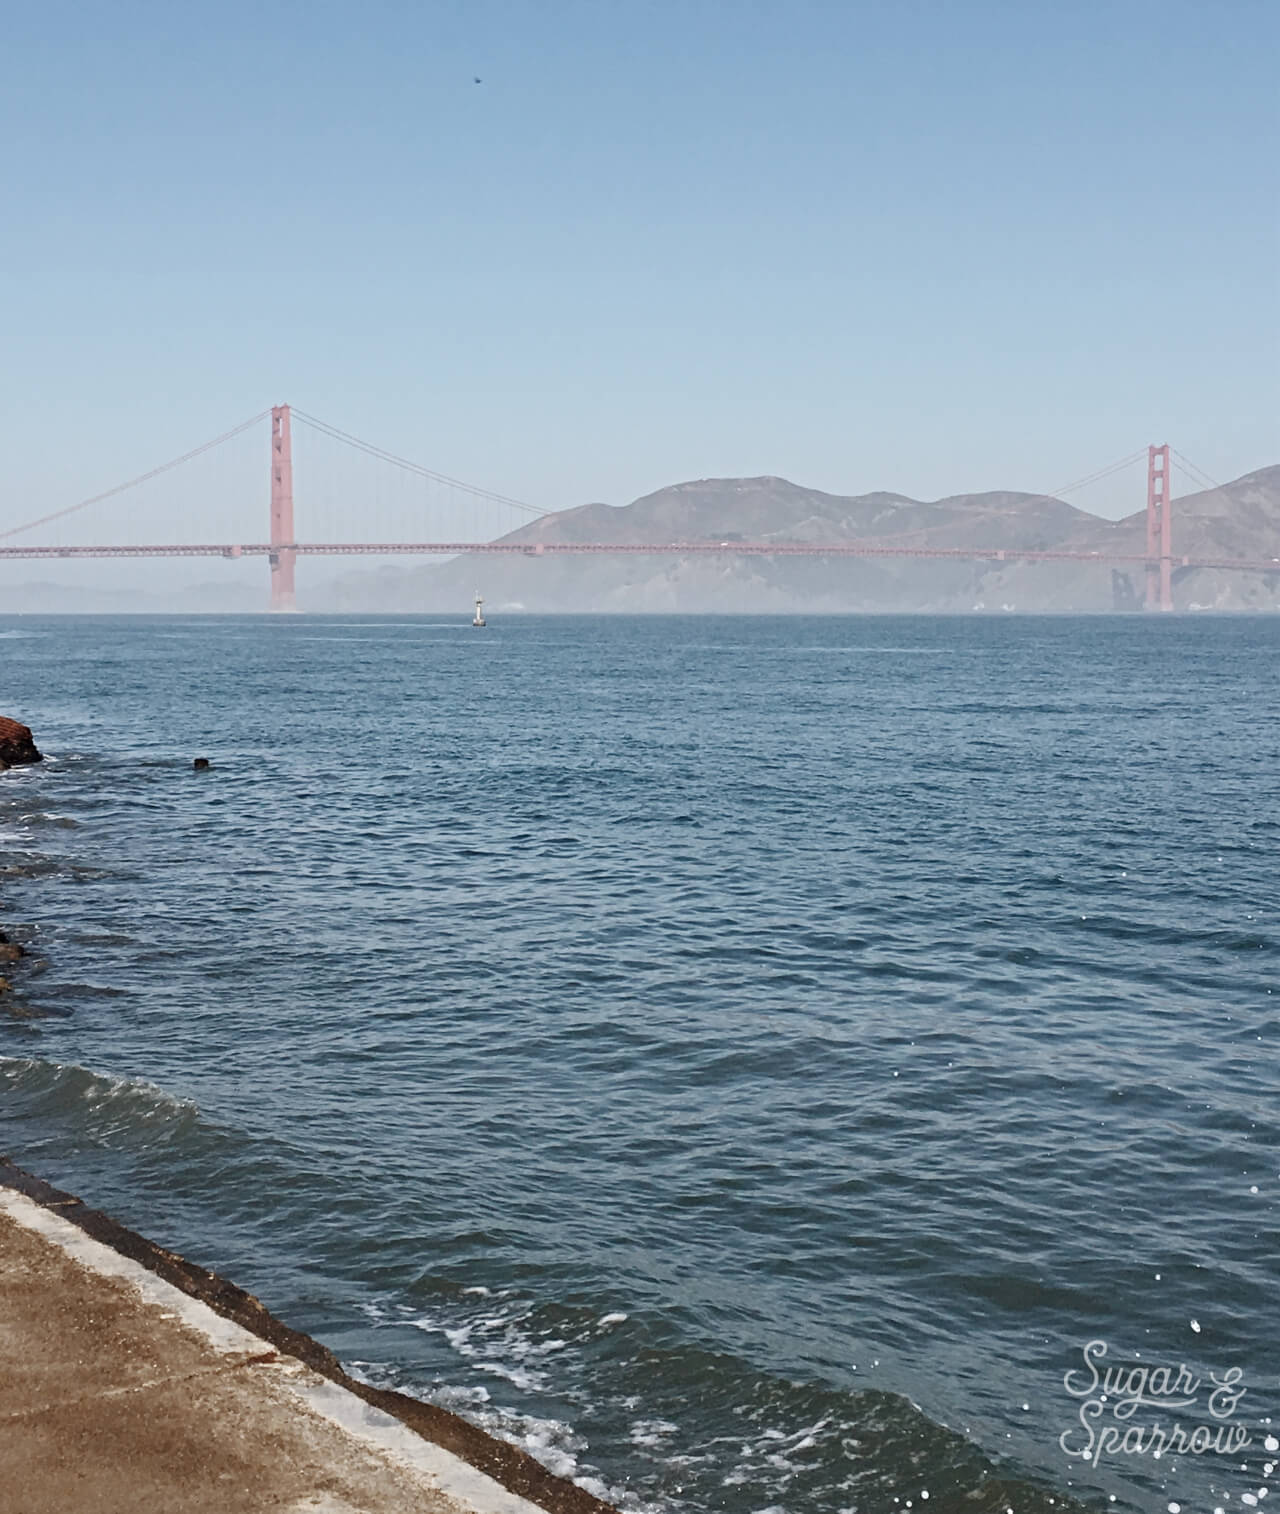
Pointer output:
x,y
746,1062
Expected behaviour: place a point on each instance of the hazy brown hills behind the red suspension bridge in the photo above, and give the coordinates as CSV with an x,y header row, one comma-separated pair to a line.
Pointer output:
x,y
1240,520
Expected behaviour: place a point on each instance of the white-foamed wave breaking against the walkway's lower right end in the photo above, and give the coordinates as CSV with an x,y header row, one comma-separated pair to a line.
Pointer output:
x,y
531,1374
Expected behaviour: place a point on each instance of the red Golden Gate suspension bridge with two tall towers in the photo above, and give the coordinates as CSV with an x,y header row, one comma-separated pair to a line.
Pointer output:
x,y
283,547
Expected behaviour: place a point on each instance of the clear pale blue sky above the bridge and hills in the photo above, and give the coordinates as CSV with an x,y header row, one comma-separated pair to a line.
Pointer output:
x,y
917,246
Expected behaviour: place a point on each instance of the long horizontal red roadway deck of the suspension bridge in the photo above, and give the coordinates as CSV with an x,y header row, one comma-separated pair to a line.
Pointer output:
x,y
634,549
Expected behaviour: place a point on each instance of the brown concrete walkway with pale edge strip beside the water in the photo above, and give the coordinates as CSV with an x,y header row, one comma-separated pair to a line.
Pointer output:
x,y
122,1392
